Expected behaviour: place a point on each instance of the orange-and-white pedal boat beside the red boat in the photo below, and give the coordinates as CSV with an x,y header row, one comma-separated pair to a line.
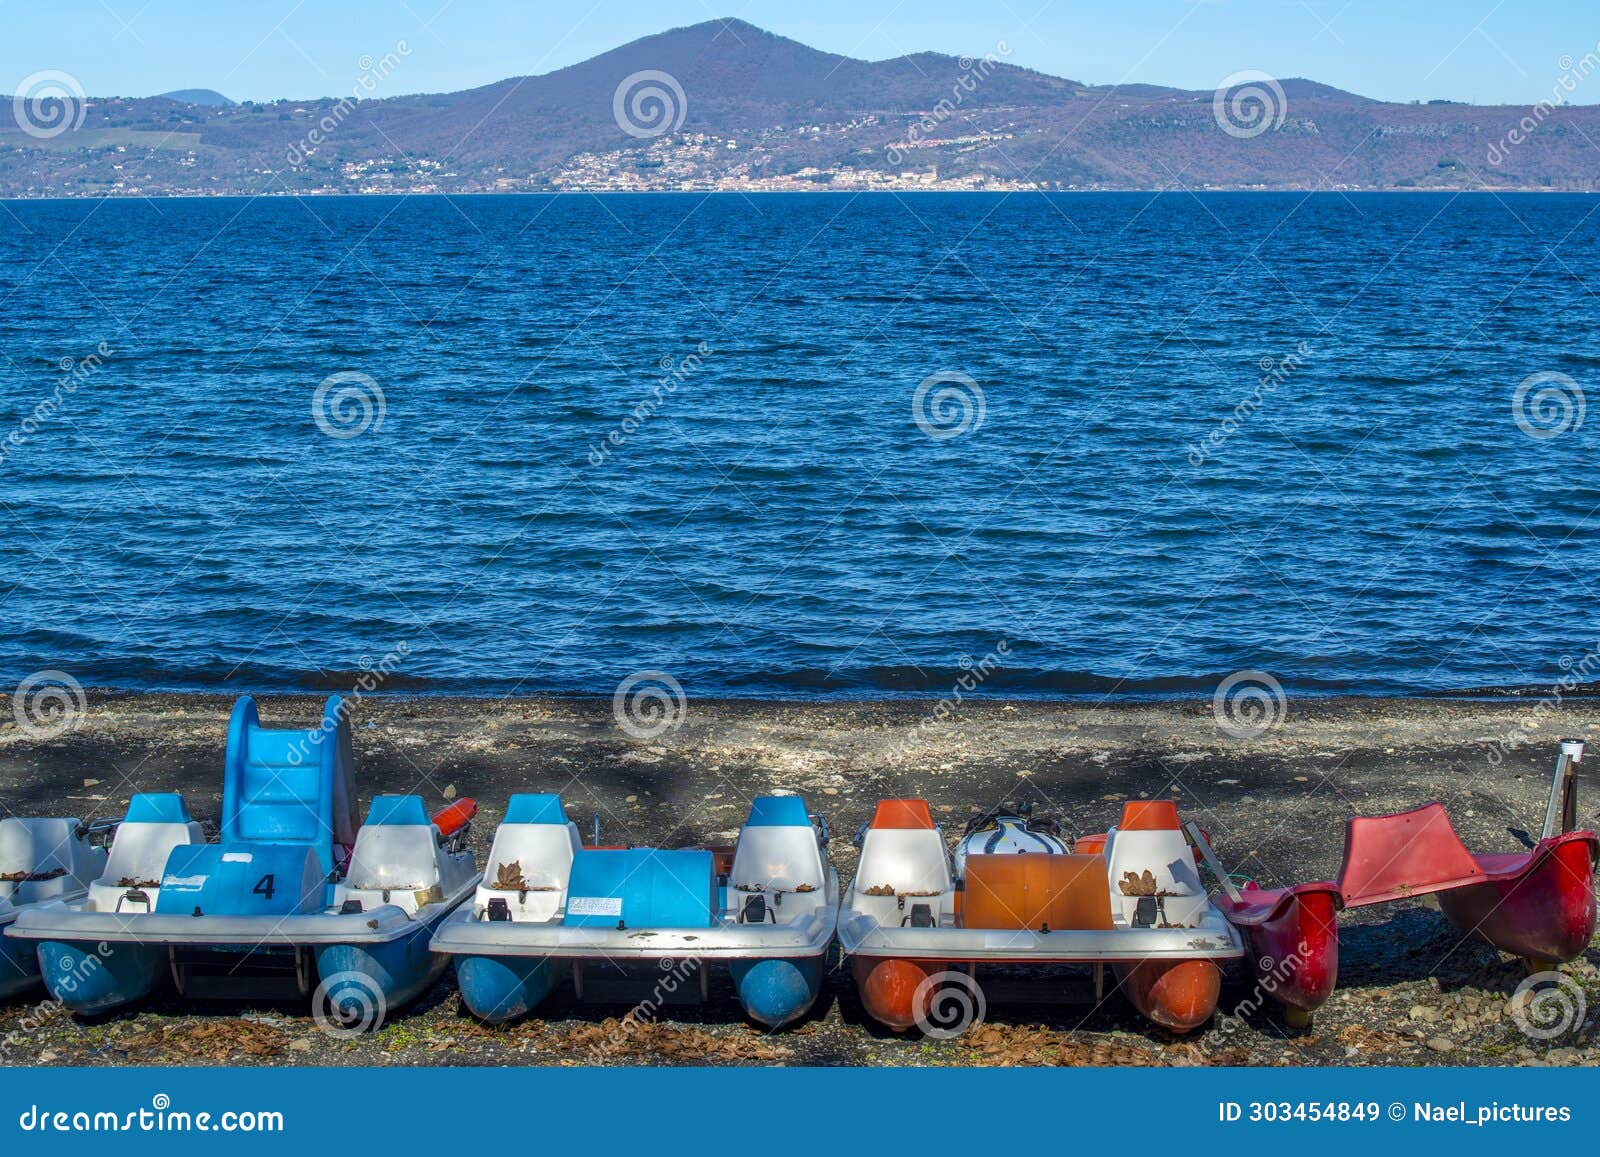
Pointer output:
x,y
1132,900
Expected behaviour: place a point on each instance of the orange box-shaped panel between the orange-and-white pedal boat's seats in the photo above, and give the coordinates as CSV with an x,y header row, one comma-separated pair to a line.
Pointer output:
x,y
1036,891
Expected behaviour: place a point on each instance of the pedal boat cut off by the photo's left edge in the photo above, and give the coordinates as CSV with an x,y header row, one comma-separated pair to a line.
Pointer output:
x,y
42,860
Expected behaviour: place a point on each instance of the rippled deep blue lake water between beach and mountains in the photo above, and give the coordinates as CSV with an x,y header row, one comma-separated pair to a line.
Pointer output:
x,y
1169,438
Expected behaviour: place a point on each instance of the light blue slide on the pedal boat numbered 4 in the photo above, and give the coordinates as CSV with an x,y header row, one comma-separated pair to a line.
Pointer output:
x,y
289,787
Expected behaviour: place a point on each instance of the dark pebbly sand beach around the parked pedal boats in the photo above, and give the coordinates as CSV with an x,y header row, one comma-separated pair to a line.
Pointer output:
x,y
1410,990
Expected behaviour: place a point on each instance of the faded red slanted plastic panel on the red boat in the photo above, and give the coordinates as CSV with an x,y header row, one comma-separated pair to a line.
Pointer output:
x,y
1404,855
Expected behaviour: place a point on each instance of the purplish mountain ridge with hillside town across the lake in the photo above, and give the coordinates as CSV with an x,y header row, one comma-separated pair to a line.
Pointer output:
x,y
726,105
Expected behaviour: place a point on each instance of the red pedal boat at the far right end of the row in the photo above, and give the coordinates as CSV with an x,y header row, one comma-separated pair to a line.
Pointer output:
x,y
1538,905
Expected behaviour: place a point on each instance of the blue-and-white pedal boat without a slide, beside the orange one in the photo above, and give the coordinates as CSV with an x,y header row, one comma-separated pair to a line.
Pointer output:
x,y
647,921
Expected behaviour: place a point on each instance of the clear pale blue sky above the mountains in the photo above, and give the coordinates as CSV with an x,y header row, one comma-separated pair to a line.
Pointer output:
x,y
1486,52
